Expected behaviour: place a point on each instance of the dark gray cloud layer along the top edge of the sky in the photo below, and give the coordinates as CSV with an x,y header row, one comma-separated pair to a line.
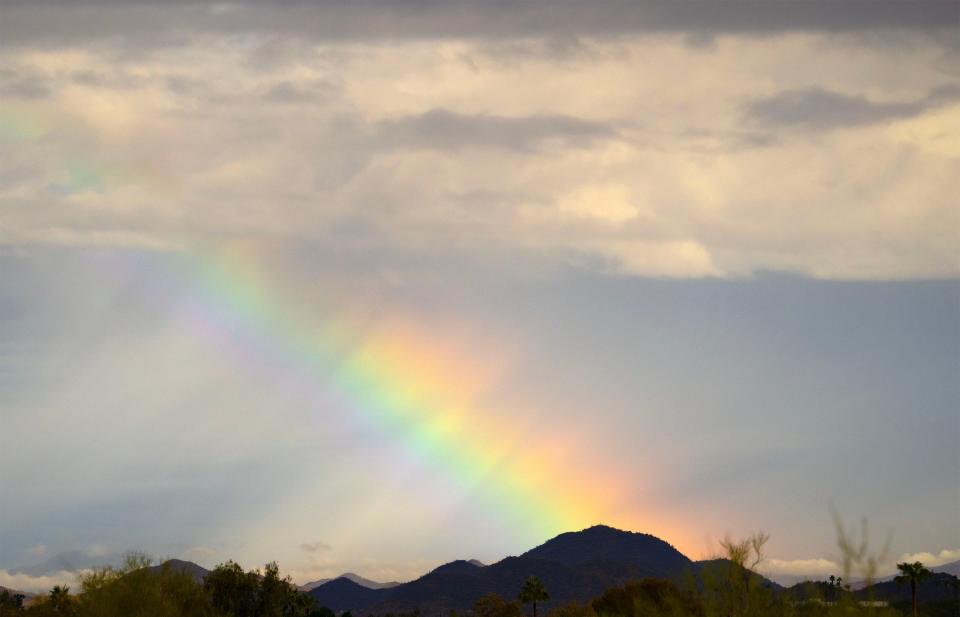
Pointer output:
x,y
142,22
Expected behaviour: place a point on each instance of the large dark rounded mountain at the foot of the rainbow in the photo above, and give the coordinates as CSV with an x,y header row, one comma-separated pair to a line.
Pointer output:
x,y
573,566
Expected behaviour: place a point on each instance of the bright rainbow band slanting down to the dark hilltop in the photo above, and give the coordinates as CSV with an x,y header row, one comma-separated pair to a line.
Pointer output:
x,y
391,379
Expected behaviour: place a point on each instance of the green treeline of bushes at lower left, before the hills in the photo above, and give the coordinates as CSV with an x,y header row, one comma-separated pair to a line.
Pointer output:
x,y
138,590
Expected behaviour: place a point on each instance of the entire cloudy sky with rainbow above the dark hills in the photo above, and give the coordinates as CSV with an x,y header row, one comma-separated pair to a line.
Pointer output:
x,y
372,286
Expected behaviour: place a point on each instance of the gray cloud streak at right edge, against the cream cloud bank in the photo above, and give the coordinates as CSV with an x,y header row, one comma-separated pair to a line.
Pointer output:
x,y
825,109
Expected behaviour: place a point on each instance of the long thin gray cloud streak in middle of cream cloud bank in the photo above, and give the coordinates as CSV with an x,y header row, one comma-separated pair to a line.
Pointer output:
x,y
444,130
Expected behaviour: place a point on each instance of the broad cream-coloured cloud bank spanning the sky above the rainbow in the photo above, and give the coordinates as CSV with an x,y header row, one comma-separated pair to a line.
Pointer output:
x,y
576,156
